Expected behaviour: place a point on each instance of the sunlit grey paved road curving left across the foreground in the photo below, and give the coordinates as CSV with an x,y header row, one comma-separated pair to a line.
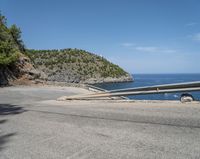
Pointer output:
x,y
35,126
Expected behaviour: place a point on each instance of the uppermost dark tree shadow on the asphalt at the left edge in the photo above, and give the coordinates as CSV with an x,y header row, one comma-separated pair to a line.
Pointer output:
x,y
8,109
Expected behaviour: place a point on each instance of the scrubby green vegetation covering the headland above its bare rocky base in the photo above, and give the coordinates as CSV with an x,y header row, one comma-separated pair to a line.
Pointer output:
x,y
78,62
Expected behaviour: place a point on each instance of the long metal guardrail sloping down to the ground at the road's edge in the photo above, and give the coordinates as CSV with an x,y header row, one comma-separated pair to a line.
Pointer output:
x,y
158,89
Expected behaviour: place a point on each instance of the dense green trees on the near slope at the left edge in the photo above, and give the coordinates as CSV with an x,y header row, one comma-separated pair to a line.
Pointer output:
x,y
10,43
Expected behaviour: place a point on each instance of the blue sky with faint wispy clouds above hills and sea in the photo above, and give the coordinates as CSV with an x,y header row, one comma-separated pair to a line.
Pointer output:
x,y
142,36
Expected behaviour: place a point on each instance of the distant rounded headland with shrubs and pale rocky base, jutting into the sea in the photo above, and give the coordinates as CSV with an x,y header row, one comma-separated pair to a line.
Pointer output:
x,y
75,66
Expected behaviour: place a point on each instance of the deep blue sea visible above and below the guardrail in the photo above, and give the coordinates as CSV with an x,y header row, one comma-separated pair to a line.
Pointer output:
x,y
141,80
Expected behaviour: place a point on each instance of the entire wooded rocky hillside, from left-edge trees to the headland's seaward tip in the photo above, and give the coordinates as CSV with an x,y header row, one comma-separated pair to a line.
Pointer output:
x,y
66,65
